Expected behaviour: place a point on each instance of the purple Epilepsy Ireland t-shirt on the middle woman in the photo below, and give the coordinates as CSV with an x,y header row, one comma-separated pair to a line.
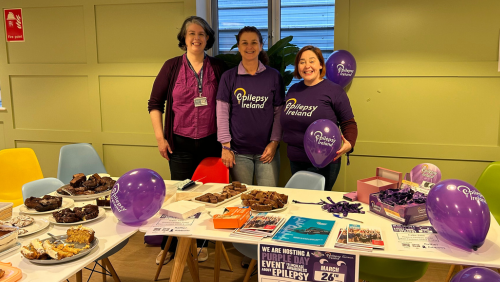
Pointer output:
x,y
252,99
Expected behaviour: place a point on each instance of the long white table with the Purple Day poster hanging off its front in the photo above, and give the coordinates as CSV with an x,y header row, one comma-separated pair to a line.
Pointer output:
x,y
487,255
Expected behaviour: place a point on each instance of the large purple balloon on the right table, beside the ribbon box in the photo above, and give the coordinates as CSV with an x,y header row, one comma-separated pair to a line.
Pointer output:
x,y
459,213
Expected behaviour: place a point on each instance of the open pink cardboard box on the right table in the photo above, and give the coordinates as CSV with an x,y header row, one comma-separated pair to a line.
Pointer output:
x,y
385,179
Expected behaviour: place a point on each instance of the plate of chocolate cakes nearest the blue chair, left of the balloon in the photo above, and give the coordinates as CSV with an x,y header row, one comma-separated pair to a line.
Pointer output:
x,y
82,188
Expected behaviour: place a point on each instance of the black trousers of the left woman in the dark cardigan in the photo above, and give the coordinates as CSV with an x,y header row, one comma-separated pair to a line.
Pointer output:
x,y
184,160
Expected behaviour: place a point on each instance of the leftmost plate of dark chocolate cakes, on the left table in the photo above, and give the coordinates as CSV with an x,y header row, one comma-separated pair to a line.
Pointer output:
x,y
45,204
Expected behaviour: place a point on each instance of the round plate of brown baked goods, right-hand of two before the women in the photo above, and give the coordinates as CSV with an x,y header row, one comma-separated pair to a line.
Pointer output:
x,y
264,200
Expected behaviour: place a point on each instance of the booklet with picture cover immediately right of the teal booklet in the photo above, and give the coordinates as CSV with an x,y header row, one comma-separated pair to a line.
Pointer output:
x,y
361,235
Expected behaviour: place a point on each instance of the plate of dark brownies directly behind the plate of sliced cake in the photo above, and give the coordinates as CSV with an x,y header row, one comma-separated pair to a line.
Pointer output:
x,y
77,215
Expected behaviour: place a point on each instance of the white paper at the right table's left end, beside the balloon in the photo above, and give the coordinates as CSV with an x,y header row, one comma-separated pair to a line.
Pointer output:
x,y
167,225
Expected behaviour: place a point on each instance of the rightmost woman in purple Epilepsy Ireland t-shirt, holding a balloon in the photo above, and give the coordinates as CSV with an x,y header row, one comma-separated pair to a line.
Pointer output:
x,y
311,99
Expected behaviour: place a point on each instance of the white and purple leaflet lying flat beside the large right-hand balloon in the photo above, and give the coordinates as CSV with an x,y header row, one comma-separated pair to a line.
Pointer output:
x,y
417,238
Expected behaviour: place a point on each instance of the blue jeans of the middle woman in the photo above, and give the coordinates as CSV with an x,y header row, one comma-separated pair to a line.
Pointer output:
x,y
249,165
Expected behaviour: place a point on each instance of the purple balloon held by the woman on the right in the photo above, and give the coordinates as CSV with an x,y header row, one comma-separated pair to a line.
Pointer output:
x,y
322,141
